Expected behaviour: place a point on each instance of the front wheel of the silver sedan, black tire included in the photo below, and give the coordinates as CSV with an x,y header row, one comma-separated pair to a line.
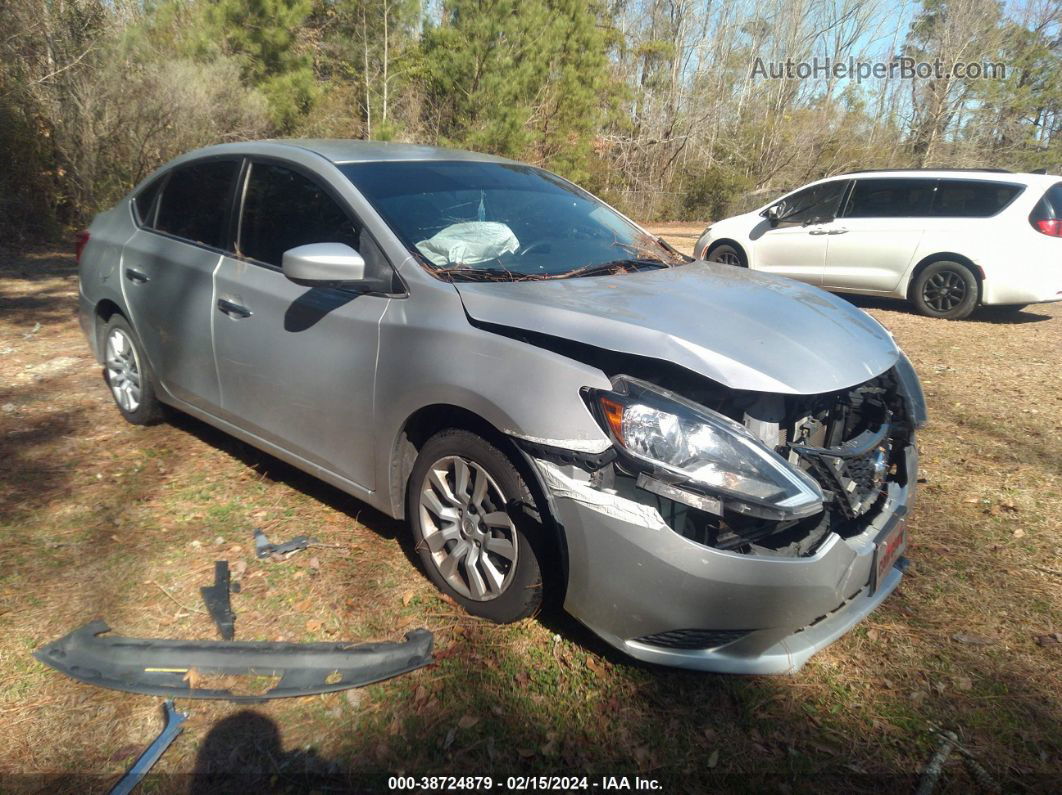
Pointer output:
x,y
498,527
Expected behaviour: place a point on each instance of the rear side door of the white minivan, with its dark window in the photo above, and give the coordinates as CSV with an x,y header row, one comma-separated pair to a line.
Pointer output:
x,y
877,234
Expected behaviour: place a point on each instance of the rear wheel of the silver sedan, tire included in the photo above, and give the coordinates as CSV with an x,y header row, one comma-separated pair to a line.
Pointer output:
x,y
124,360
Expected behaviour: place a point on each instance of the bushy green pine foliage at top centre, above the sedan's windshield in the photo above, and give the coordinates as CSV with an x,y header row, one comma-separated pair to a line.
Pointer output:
x,y
521,79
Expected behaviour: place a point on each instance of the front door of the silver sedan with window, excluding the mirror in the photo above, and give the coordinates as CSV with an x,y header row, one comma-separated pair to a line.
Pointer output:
x,y
298,365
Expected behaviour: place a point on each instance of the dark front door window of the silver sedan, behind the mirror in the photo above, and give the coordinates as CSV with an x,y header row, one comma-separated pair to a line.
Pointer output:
x,y
283,210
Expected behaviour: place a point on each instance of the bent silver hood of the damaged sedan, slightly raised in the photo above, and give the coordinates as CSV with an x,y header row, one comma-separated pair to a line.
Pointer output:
x,y
740,329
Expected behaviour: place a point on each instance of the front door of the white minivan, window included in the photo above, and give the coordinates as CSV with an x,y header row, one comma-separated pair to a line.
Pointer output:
x,y
797,247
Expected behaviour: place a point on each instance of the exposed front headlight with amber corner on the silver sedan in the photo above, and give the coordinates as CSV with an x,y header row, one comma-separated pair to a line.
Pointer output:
x,y
708,450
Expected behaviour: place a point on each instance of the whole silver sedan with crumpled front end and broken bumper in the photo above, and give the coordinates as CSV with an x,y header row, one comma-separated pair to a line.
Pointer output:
x,y
709,468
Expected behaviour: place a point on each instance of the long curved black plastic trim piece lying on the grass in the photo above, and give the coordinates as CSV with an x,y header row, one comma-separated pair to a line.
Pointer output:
x,y
170,668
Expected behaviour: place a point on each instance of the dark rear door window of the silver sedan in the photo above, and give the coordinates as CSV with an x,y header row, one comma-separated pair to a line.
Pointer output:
x,y
196,202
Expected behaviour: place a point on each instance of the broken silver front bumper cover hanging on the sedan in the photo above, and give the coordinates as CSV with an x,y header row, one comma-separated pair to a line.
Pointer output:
x,y
654,594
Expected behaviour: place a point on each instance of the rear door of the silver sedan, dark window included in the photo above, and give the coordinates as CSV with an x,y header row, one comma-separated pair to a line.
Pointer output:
x,y
168,275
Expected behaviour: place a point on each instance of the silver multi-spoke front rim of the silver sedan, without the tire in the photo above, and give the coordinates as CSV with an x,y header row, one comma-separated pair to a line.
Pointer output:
x,y
472,540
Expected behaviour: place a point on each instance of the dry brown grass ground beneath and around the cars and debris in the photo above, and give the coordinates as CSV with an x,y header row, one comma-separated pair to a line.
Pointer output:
x,y
99,519
